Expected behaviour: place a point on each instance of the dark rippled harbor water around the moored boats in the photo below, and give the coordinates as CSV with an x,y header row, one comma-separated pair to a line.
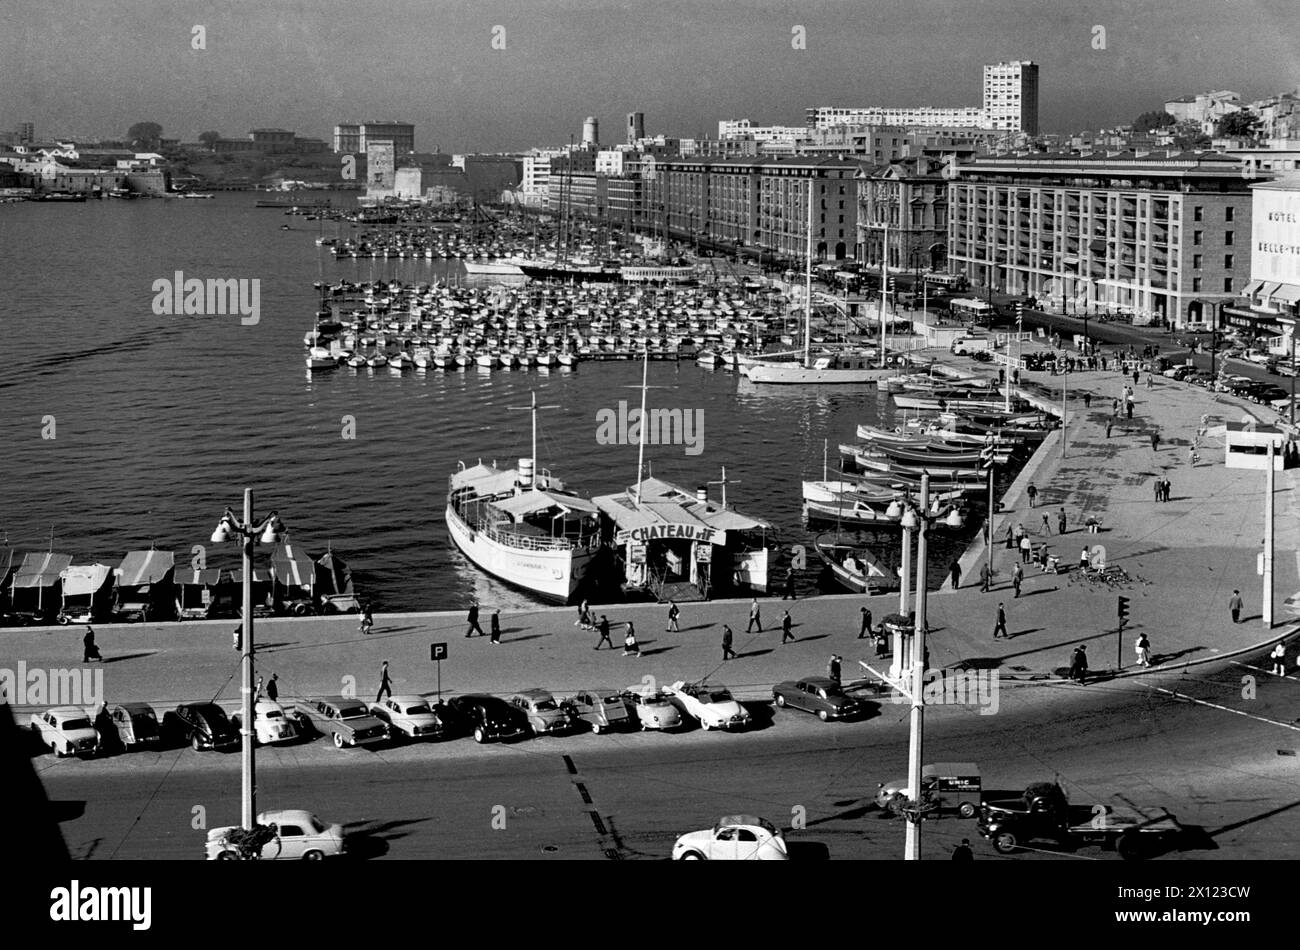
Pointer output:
x,y
161,422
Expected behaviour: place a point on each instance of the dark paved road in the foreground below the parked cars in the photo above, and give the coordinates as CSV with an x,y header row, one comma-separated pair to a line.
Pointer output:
x,y
1232,777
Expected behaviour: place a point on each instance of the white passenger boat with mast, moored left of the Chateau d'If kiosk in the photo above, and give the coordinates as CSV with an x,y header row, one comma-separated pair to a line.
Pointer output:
x,y
523,527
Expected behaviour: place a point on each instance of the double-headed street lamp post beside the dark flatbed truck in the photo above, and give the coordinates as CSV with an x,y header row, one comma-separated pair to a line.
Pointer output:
x,y
916,519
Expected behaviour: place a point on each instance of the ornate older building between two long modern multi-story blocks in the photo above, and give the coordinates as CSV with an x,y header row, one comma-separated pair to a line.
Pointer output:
x,y
904,206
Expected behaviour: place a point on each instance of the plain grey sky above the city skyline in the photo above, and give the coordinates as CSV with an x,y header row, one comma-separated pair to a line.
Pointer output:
x,y
93,68
